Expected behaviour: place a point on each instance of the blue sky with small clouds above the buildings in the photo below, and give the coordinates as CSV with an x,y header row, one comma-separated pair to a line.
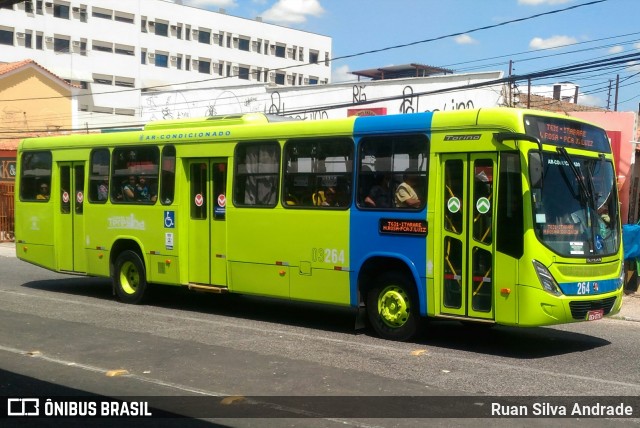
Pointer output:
x,y
587,33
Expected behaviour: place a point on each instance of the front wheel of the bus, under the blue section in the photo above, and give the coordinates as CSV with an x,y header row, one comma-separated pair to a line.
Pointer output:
x,y
392,307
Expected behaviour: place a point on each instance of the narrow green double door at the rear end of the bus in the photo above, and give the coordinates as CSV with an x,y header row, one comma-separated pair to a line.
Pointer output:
x,y
70,194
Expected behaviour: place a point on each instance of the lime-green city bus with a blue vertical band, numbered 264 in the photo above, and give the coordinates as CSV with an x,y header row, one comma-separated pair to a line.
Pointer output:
x,y
496,216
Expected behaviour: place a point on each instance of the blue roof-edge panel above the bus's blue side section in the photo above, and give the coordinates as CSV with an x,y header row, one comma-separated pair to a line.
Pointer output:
x,y
415,122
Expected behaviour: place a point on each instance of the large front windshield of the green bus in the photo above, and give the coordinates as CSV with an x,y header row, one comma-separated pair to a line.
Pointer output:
x,y
575,206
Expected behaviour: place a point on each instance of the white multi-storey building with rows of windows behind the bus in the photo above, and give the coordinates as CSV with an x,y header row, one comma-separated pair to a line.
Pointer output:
x,y
118,49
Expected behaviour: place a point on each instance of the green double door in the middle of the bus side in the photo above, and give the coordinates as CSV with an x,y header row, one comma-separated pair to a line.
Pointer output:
x,y
207,180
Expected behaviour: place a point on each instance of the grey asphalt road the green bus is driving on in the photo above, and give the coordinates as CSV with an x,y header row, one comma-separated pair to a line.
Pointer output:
x,y
62,335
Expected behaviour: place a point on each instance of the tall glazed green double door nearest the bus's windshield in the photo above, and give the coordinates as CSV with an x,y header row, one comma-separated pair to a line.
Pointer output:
x,y
467,270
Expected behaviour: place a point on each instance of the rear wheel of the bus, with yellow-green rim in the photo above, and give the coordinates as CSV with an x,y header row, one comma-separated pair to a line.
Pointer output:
x,y
130,277
